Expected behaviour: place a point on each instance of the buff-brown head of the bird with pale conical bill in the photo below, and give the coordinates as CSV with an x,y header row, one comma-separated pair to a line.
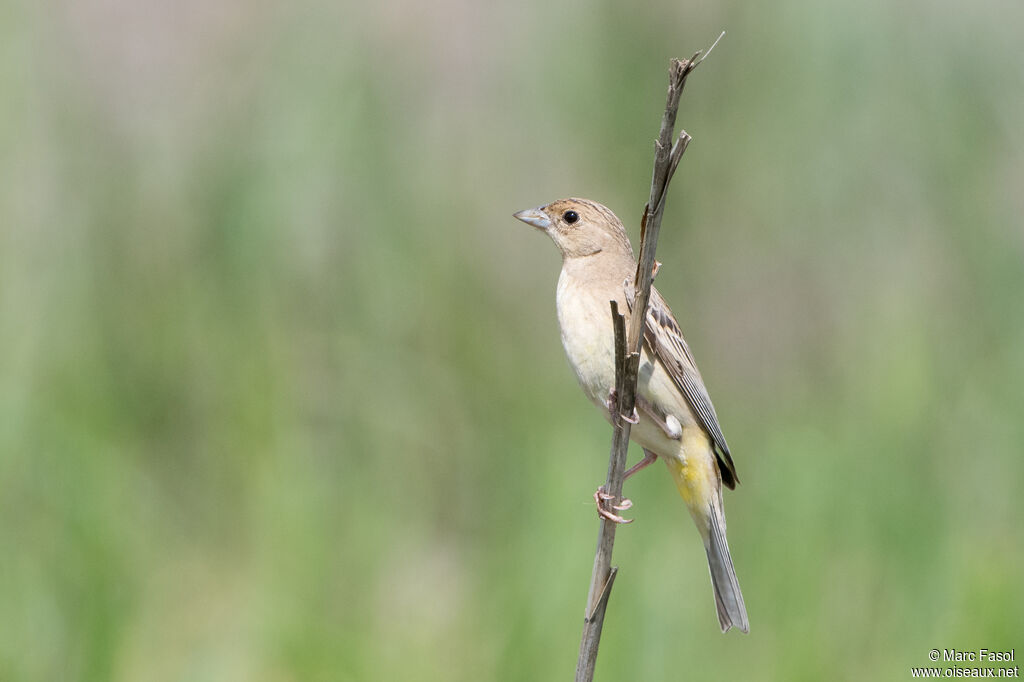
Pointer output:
x,y
580,228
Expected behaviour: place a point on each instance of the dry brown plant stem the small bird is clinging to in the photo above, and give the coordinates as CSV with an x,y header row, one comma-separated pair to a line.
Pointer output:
x,y
667,158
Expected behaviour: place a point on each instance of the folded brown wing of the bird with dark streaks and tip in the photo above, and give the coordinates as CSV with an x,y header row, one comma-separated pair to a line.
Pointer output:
x,y
665,343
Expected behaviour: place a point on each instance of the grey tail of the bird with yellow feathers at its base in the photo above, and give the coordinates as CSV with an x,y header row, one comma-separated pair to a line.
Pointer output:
x,y
704,497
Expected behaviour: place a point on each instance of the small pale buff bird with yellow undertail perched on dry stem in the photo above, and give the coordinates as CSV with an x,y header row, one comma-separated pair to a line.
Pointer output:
x,y
674,421
